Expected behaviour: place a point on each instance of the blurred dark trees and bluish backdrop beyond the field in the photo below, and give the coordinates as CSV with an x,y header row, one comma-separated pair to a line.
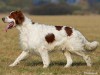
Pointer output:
x,y
51,7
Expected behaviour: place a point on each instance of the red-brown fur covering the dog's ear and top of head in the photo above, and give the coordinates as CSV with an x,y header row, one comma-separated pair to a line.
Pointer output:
x,y
18,16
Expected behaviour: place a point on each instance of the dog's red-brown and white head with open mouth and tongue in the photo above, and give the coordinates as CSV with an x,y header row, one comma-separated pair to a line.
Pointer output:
x,y
14,19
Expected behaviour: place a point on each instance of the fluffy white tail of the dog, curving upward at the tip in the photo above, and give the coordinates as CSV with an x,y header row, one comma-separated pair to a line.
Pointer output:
x,y
91,46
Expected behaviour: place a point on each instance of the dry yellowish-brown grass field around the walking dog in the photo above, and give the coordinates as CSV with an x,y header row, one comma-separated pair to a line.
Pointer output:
x,y
10,48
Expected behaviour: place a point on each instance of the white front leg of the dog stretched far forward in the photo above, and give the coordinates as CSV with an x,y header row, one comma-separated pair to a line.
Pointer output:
x,y
20,57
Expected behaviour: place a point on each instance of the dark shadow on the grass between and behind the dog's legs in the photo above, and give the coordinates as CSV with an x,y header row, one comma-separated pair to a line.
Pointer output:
x,y
55,63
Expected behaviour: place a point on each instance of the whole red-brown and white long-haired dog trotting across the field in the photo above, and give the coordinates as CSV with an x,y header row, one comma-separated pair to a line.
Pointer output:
x,y
41,39
